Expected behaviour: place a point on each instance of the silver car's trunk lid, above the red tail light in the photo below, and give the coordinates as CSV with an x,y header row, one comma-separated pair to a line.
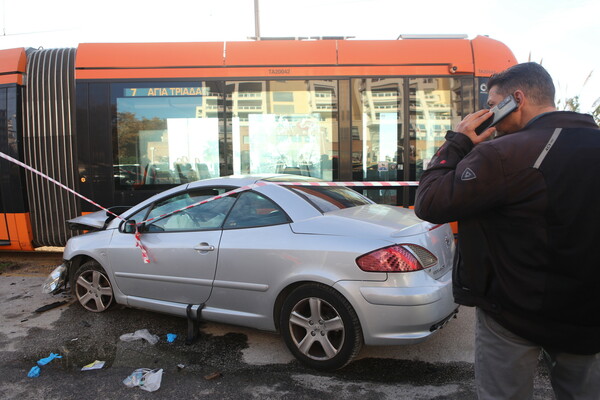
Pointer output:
x,y
367,220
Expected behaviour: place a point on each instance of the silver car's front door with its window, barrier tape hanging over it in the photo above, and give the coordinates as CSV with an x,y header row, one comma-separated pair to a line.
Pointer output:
x,y
182,248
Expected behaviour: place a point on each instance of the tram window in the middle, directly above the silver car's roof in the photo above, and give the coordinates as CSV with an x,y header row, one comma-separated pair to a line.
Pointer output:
x,y
283,126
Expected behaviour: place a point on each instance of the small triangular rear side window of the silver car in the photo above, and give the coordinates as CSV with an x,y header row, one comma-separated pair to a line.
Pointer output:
x,y
252,210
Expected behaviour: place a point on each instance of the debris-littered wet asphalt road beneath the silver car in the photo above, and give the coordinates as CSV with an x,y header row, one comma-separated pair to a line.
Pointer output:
x,y
226,362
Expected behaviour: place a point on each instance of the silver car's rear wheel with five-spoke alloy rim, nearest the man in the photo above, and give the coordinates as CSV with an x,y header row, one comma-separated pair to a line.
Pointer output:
x,y
320,327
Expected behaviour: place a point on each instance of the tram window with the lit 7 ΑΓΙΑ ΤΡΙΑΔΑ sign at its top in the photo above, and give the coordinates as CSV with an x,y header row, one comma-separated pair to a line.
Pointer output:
x,y
166,133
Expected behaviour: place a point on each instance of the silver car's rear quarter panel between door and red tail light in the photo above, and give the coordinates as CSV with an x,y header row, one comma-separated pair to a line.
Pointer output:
x,y
278,263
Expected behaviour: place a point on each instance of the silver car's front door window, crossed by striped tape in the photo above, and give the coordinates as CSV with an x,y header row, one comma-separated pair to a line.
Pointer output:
x,y
203,217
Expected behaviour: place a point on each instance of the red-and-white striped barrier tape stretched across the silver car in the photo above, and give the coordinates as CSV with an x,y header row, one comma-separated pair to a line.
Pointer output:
x,y
138,236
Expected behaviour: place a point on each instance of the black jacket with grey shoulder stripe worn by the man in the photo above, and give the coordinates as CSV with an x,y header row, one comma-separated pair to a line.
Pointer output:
x,y
528,212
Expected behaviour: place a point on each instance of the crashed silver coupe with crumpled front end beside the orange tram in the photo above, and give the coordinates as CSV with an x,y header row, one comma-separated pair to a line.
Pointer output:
x,y
323,265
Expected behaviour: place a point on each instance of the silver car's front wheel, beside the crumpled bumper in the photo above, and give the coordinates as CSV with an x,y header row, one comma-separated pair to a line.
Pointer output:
x,y
92,287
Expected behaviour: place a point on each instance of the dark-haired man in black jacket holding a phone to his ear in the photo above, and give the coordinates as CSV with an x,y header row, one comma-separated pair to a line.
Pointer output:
x,y
528,210
